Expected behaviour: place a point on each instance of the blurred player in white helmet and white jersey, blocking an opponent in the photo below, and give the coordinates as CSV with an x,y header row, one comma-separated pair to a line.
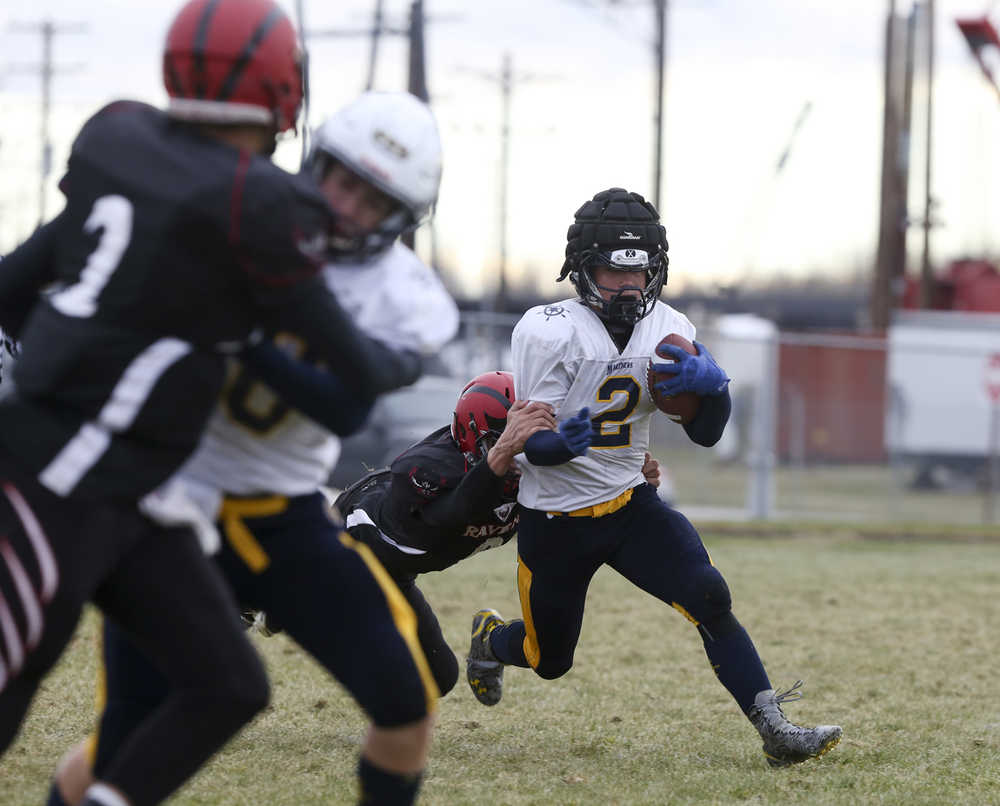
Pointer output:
x,y
260,464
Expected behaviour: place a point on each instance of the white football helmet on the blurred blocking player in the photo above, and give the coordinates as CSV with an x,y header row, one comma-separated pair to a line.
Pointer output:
x,y
391,140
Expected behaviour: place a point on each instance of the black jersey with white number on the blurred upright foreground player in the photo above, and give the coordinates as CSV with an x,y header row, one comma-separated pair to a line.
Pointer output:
x,y
169,249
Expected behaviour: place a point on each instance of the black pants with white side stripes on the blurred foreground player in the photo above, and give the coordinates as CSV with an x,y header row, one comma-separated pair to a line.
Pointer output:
x,y
156,583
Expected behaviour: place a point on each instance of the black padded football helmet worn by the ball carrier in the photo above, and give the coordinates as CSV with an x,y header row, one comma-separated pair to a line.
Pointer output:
x,y
620,231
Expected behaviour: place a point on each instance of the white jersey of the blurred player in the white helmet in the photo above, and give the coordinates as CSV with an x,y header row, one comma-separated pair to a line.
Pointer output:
x,y
255,444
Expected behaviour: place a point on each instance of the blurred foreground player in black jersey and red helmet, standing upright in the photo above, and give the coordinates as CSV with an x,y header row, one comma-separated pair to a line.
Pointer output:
x,y
178,238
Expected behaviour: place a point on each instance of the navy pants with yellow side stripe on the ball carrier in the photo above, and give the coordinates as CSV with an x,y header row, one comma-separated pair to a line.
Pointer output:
x,y
654,547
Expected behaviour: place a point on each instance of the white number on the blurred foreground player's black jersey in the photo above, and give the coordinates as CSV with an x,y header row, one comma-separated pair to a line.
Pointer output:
x,y
112,215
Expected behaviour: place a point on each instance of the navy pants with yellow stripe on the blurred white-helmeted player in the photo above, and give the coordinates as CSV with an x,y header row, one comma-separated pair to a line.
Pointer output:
x,y
287,557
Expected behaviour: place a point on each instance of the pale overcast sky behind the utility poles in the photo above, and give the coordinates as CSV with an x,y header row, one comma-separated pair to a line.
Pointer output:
x,y
739,75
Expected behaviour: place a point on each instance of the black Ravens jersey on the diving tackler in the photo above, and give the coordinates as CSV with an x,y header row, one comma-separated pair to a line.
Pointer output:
x,y
431,501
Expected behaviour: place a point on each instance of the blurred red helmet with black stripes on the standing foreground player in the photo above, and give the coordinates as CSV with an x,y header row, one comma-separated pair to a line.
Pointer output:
x,y
233,61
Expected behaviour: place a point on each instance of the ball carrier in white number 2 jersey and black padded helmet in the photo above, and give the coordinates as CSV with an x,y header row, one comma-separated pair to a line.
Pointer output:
x,y
584,502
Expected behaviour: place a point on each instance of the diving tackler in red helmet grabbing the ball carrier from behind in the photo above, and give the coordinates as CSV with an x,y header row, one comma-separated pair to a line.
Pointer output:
x,y
450,495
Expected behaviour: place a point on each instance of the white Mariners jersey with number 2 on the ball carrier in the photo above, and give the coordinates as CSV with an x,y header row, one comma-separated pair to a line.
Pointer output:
x,y
563,355
